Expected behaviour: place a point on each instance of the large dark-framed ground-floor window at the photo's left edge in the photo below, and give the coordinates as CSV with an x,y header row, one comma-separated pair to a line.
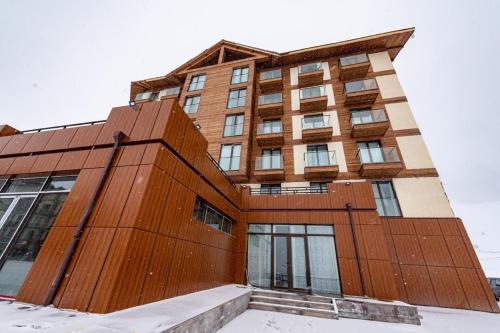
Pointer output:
x,y
28,208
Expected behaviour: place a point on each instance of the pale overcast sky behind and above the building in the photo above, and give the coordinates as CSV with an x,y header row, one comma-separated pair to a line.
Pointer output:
x,y
66,62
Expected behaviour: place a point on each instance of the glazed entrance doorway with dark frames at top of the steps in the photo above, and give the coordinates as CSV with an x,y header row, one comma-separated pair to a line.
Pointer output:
x,y
293,257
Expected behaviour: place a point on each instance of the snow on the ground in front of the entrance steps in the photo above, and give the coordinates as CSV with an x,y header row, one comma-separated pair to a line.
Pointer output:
x,y
436,320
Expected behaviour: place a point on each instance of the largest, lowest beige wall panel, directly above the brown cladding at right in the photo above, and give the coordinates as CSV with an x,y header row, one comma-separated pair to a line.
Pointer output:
x,y
422,197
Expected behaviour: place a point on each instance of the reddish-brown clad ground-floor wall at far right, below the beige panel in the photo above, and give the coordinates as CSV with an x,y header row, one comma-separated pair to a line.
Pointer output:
x,y
436,264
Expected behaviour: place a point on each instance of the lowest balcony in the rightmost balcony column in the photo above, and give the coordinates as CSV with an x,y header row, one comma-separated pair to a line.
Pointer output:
x,y
379,162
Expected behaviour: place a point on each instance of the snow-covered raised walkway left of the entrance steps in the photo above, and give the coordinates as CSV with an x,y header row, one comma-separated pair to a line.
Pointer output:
x,y
153,317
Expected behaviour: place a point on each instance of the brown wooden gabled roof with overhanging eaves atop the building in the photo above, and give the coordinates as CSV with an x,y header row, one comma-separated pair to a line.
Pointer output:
x,y
392,41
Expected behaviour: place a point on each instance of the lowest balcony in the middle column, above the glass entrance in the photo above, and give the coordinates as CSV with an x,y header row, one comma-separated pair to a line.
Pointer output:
x,y
320,165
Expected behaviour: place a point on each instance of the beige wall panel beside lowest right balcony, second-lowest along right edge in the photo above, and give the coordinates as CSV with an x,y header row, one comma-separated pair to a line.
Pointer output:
x,y
414,152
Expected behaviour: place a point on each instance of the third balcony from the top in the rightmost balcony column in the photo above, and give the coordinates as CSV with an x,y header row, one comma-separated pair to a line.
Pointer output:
x,y
366,123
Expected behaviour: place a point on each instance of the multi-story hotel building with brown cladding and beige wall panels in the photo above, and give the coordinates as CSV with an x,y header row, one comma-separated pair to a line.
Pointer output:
x,y
302,170
